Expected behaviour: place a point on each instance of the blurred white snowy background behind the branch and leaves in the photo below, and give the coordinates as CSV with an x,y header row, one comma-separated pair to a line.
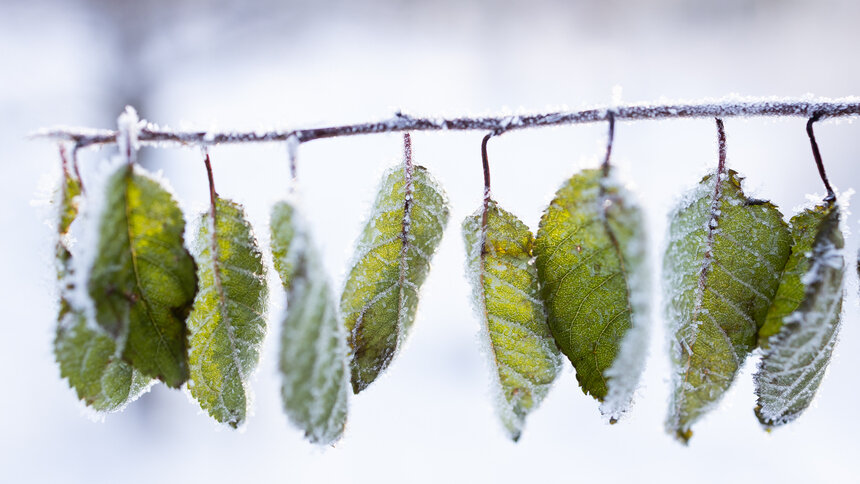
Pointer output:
x,y
307,63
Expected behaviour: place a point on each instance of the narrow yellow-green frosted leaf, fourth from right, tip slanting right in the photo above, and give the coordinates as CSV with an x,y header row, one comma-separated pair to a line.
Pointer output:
x,y
500,267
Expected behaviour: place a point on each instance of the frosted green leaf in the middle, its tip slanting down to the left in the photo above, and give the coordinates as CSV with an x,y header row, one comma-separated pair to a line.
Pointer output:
x,y
391,262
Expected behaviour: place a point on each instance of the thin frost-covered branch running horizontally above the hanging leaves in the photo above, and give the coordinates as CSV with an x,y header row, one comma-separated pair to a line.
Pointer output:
x,y
153,134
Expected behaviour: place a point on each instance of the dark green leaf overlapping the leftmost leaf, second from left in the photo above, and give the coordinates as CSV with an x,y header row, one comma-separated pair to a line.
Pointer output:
x,y
143,281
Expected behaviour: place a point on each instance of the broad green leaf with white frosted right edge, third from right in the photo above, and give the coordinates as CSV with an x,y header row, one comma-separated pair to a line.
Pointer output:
x,y
590,250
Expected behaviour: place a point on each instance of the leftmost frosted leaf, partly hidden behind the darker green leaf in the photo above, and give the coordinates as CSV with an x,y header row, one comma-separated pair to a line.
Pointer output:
x,y
87,358
